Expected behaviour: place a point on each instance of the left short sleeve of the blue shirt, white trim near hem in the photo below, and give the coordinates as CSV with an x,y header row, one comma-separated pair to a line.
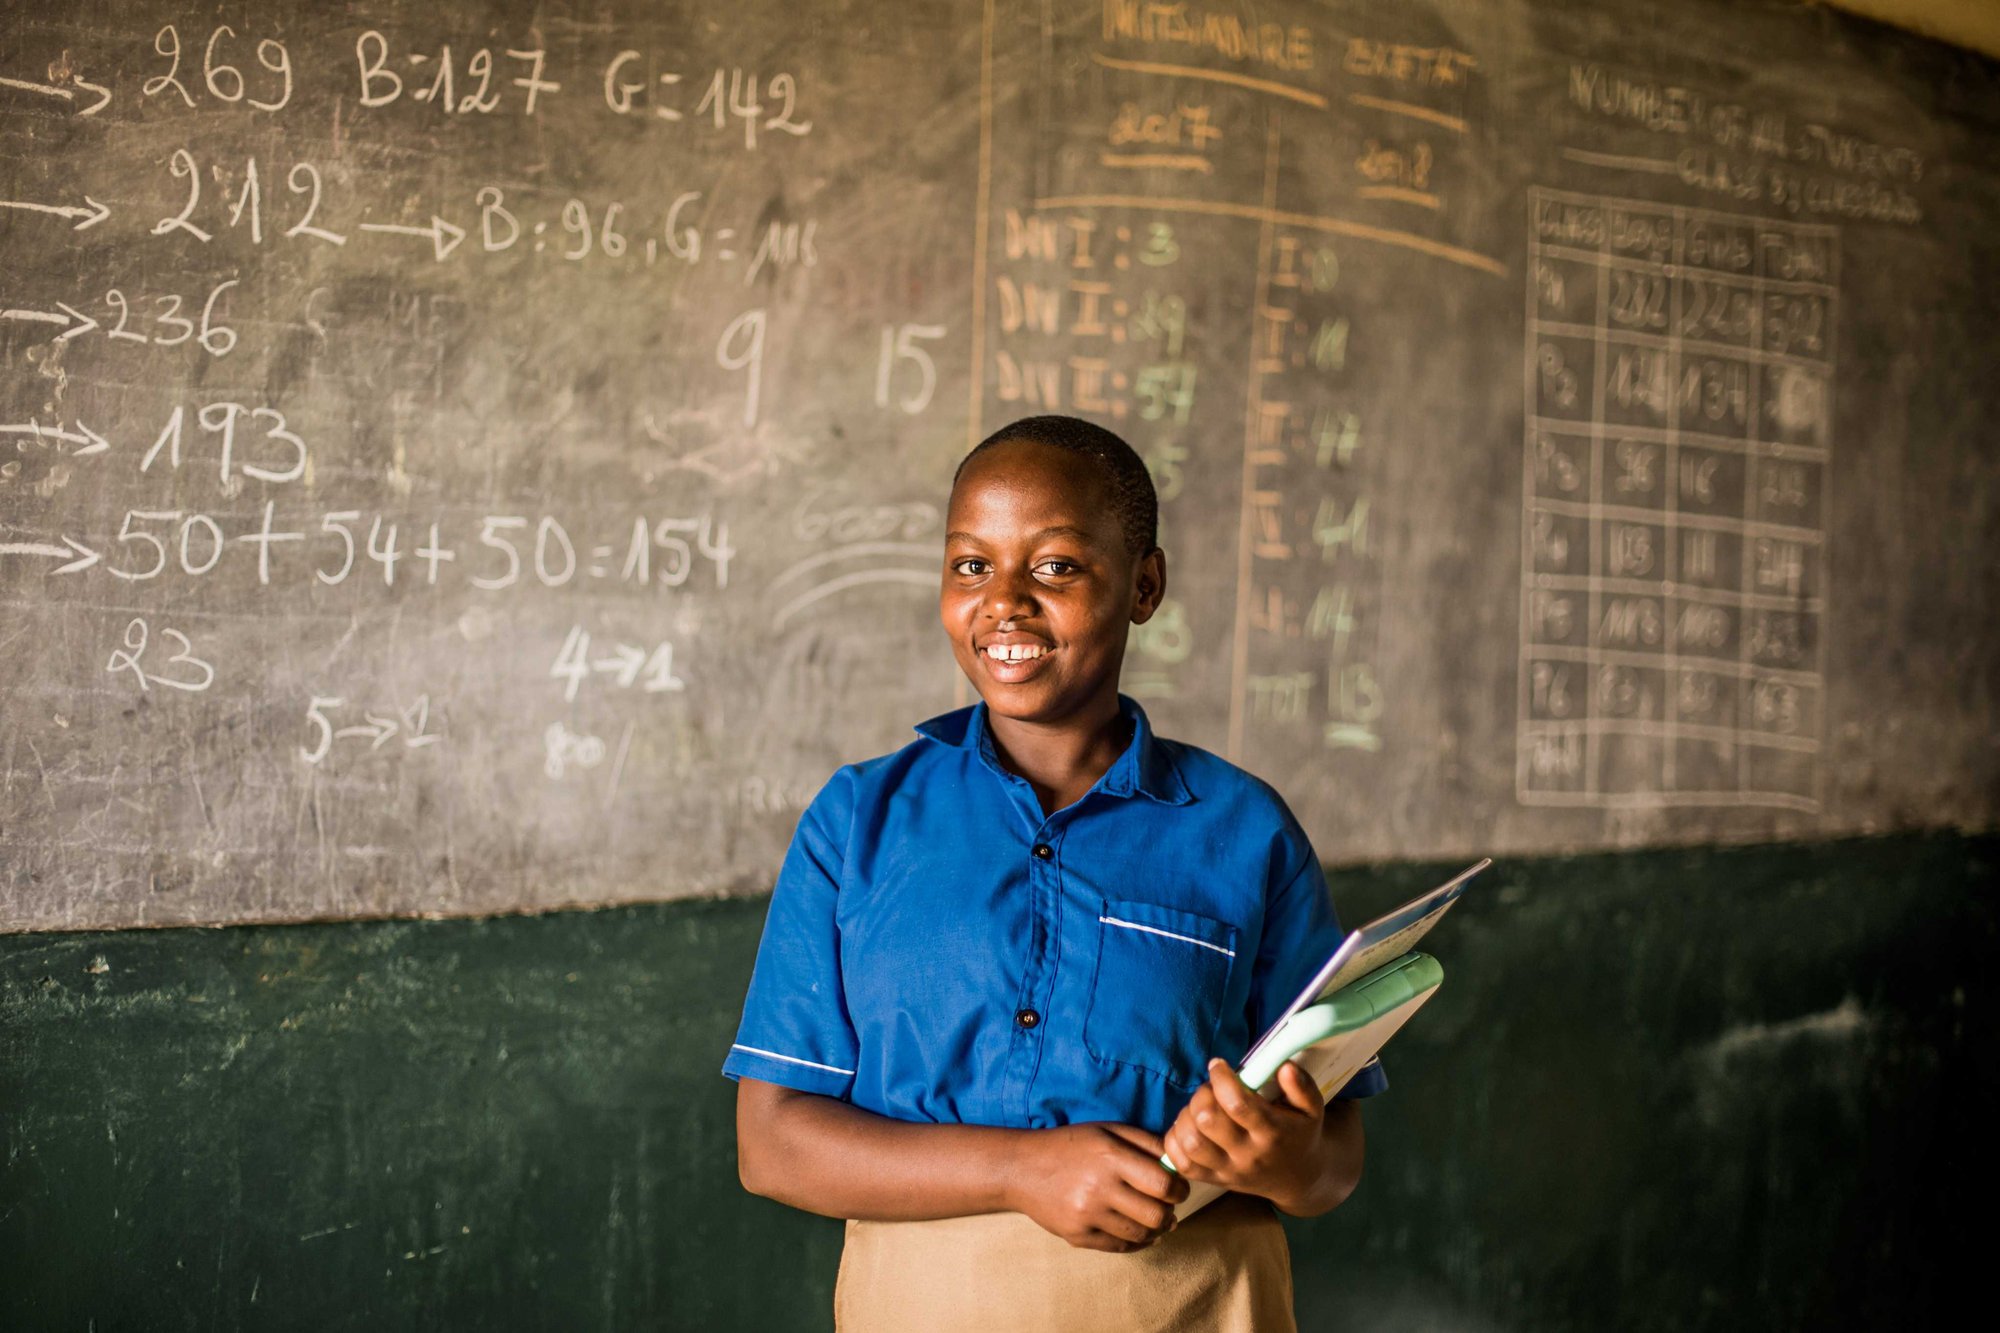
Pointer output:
x,y
795,1026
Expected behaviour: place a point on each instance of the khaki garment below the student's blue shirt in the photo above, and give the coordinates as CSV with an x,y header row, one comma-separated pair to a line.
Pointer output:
x,y
1227,1270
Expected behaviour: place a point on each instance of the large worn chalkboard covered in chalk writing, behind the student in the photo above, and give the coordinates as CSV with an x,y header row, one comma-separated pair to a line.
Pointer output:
x,y
491,457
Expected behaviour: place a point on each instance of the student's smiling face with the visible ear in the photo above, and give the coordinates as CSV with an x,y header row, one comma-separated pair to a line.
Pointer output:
x,y
1039,587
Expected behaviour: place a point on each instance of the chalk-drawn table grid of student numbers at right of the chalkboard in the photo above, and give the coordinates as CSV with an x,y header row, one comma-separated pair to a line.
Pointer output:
x,y
1673,547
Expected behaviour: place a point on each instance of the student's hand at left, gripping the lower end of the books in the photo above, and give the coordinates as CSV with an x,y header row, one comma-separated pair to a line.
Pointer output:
x,y
1097,1186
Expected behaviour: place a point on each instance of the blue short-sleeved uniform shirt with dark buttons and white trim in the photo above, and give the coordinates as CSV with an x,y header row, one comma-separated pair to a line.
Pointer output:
x,y
939,950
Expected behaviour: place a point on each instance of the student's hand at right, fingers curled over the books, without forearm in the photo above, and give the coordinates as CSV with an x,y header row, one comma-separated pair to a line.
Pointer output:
x,y
1233,1138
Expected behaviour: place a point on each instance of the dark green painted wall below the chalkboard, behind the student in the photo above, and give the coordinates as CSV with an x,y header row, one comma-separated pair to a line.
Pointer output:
x,y
1659,1092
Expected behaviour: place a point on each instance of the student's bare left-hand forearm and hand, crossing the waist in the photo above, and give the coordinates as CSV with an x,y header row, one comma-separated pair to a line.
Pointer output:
x,y
1093,1186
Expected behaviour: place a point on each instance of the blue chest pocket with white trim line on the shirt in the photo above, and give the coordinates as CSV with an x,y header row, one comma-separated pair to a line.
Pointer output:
x,y
1159,988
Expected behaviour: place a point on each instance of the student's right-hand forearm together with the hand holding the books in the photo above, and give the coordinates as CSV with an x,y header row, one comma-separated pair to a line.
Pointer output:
x,y
1299,1152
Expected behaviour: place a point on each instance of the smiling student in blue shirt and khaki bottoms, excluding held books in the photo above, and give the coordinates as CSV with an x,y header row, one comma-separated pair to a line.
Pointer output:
x,y
1013,964
